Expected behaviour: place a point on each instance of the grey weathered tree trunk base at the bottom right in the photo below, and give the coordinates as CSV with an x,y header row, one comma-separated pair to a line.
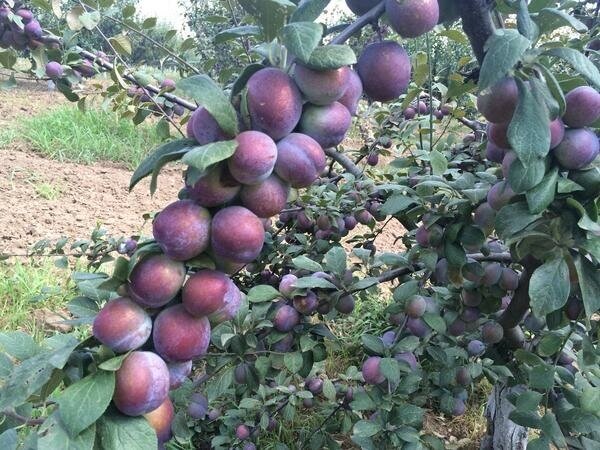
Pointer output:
x,y
502,433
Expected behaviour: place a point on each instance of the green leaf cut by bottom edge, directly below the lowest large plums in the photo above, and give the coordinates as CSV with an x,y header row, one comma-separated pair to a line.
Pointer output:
x,y
118,432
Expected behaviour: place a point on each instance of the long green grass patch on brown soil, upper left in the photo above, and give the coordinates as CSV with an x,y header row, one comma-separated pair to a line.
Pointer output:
x,y
67,134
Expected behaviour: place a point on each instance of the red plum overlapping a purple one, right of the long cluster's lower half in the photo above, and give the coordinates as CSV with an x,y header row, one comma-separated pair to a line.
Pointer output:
x,y
207,291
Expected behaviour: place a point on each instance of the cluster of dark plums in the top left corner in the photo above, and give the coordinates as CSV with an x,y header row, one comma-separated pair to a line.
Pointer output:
x,y
19,29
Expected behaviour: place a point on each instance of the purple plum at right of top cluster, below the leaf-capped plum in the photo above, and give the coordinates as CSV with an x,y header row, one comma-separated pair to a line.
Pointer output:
x,y
327,124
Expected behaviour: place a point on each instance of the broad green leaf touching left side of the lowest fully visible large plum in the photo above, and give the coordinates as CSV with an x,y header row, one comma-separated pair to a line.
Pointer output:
x,y
82,403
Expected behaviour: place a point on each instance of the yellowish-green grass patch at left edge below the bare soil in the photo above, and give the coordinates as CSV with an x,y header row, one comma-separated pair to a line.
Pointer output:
x,y
27,286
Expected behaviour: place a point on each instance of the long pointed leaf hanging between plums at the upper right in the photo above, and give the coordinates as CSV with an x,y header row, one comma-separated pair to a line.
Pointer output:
x,y
529,129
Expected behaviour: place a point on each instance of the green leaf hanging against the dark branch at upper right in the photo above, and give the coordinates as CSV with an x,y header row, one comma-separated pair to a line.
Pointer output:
x,y
504,49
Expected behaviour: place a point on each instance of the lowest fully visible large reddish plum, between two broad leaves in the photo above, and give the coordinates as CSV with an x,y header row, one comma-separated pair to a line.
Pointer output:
x,y
141,383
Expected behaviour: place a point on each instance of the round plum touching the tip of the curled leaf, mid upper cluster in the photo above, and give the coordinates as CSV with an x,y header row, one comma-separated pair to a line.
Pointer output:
x,y
254,157
